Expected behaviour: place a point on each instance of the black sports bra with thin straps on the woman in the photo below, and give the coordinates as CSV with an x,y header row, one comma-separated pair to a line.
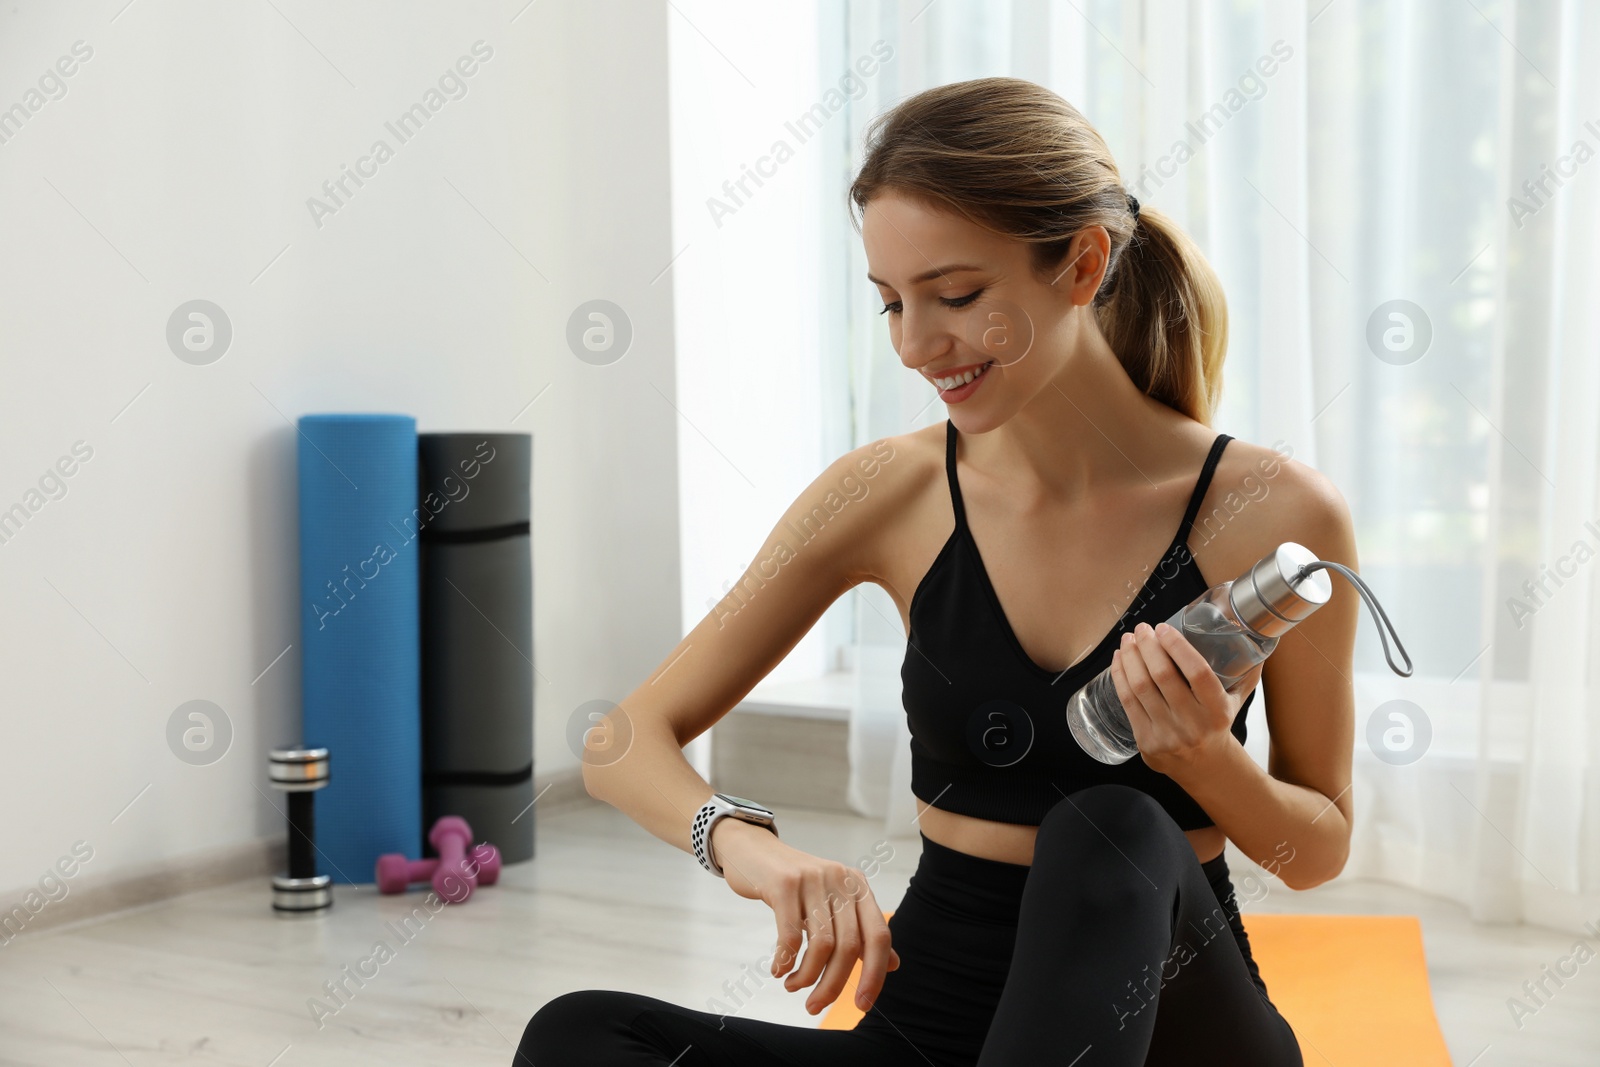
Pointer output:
x,y
988,725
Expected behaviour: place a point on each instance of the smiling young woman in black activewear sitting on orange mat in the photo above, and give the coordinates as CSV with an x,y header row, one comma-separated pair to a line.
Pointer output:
x,y
1063,911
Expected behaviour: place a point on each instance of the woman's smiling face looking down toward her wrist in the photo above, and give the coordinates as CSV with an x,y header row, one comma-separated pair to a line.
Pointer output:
x,y
969,313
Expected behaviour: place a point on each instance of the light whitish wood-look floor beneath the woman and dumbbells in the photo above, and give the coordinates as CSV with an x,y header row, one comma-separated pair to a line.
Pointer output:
x,y
215,978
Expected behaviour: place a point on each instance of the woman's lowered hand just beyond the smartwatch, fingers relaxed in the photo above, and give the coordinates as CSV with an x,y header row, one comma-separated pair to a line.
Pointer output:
x,y
825,900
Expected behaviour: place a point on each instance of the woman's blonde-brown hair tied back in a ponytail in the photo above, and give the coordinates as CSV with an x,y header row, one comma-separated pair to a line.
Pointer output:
x,y
1022,162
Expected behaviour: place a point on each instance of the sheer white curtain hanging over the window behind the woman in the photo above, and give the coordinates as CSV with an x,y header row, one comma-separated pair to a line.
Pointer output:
x,y
1404,206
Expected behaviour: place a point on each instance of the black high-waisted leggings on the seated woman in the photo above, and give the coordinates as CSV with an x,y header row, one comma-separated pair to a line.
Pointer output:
x,y
1116,948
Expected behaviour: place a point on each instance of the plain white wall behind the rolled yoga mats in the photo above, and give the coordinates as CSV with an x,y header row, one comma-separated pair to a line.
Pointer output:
x,y
178,166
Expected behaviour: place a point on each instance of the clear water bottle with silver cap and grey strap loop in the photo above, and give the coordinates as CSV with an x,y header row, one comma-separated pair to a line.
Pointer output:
x,y
1234,626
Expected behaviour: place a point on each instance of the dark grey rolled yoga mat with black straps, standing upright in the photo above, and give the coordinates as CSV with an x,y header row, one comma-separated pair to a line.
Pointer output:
x,y
478,636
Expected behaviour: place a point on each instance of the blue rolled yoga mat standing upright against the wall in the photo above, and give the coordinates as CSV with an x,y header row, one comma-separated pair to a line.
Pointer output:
x,y
361,636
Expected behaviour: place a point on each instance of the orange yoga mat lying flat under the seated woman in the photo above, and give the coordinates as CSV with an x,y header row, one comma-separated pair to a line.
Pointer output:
x,y
1353,986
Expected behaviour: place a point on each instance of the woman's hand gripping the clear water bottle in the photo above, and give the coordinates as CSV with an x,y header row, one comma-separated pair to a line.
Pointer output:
x,y
1177,706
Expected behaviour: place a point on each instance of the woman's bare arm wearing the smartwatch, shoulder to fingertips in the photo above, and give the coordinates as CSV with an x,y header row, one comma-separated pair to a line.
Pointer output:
x,y
820,549
